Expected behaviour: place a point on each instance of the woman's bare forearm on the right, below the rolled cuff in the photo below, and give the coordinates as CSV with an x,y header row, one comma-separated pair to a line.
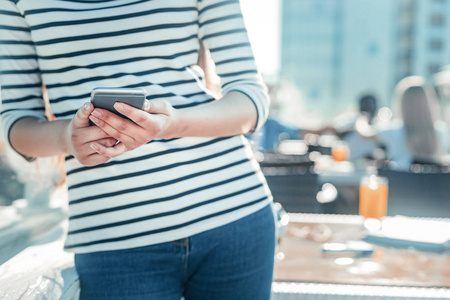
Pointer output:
x,y
234,114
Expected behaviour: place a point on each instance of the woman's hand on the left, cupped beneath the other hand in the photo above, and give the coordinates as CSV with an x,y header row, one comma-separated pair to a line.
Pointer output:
x,y
80,134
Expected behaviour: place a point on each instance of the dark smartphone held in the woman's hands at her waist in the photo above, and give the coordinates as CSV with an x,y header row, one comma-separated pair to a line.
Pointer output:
x,y
106,98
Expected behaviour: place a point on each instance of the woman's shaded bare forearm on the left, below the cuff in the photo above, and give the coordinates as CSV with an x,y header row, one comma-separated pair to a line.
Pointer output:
x,y
39,138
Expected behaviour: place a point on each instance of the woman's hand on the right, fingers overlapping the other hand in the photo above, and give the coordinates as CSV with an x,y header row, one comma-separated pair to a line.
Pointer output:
x,y
155,121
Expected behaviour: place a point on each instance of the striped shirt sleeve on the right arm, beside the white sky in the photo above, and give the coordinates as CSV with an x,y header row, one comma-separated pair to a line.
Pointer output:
x,y
223,32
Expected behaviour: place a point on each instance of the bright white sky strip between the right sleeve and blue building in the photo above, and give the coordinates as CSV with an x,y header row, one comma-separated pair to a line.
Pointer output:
x,y
262,21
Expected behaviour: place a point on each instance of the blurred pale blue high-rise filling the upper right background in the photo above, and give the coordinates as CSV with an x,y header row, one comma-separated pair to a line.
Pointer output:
x,y
336,50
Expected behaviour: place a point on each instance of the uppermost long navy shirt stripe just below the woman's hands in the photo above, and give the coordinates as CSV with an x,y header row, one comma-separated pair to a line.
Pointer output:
x,y
152,155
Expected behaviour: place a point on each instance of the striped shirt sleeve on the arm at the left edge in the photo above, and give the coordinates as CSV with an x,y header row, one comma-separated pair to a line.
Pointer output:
x,y
20,81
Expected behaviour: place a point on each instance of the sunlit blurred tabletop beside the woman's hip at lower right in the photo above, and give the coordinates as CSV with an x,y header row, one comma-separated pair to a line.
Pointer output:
x,y
390,273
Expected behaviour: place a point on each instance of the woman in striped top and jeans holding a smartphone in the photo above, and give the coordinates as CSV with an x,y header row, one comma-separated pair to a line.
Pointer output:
x,y
172,204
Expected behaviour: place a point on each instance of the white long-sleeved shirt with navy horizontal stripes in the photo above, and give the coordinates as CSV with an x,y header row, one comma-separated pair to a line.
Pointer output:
x,y
166,189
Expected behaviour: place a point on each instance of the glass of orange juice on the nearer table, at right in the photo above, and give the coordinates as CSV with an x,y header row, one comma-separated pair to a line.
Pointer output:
x,y
373,199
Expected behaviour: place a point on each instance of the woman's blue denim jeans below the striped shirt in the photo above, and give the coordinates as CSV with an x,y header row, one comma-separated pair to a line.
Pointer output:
x,y
231,262
